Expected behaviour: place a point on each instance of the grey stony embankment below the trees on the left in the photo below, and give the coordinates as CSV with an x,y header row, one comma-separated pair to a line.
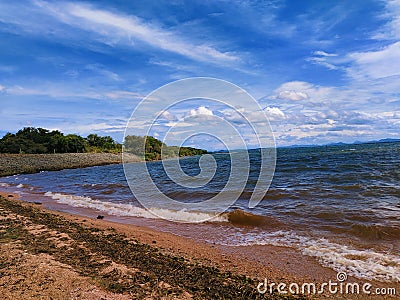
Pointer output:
x,y
11,164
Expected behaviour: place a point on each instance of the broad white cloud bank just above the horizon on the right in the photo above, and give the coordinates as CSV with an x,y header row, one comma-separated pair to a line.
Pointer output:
x,y
346,114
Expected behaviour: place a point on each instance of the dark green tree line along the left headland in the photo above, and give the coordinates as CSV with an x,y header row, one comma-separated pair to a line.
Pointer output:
x,y
30,140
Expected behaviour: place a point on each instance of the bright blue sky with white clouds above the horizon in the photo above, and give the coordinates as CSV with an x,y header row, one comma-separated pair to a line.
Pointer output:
x,y
321,71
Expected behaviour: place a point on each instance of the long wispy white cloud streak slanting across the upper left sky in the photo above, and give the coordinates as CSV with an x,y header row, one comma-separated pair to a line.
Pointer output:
x,y
113,28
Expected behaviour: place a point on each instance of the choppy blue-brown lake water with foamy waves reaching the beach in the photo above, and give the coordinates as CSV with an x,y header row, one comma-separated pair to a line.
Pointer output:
x,y
340,204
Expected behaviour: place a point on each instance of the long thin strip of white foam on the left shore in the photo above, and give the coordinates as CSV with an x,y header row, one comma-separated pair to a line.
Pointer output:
x,y
120,209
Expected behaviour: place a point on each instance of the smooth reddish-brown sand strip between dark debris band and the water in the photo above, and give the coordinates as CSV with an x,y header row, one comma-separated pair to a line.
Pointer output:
x,y
277,264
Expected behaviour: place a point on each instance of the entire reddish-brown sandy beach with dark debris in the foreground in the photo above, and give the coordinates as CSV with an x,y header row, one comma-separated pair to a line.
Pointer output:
x,y
54,255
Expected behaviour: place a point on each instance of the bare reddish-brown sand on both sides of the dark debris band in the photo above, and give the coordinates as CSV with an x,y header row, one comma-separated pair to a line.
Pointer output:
x,y
33,275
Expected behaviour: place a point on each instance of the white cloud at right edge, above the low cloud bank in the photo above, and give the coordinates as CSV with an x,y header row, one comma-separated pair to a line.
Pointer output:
x,y
376,64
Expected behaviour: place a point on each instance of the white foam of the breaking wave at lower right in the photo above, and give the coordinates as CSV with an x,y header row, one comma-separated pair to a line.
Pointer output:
x,y
365,264
